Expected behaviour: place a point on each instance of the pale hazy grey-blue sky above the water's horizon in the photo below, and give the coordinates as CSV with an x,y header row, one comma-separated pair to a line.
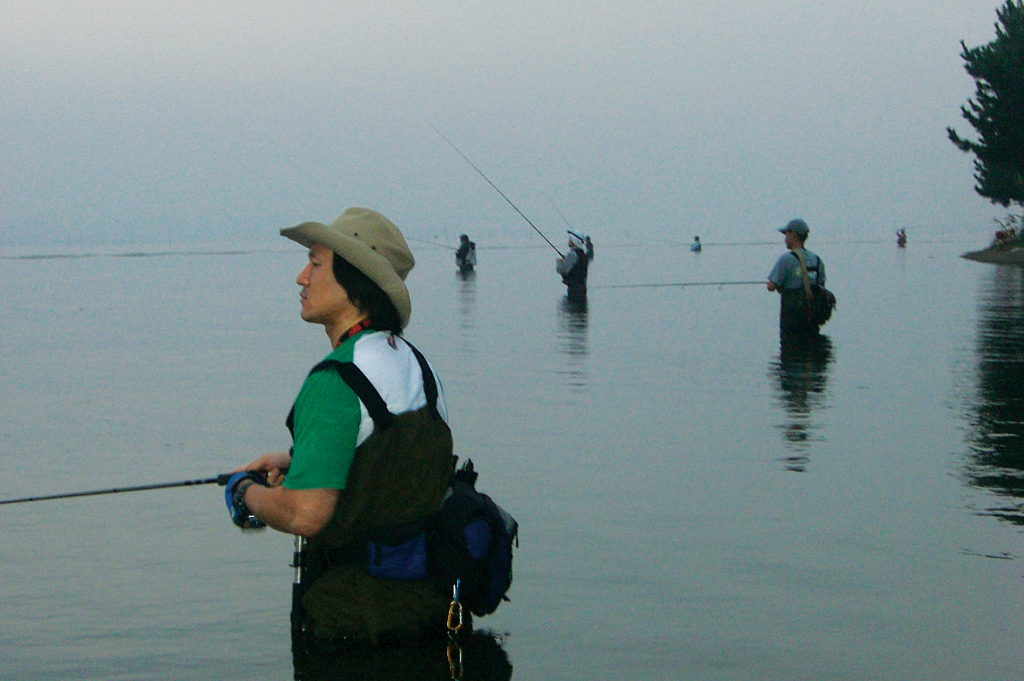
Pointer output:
x,y
191,122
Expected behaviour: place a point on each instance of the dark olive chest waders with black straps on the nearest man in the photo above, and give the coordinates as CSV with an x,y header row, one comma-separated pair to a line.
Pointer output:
x,y
398,481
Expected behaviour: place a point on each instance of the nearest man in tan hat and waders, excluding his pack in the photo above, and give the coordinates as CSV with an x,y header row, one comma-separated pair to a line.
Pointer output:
x,y
356,466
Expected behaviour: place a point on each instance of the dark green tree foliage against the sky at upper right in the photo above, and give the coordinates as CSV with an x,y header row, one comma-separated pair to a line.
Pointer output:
x,y
997,112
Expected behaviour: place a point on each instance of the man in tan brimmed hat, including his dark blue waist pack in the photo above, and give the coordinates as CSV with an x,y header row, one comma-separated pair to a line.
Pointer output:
x,y
369,484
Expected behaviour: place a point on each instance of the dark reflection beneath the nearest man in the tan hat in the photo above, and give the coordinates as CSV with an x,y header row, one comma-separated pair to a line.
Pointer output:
x,y
479,656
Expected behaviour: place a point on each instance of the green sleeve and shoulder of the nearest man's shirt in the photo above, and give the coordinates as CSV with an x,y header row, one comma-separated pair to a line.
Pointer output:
x,y
327,425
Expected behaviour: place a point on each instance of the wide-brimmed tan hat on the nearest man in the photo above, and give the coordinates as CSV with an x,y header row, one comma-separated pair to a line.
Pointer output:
x,y
372,244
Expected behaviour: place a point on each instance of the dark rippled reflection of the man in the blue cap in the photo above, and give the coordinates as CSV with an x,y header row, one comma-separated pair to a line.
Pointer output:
x,y
802,374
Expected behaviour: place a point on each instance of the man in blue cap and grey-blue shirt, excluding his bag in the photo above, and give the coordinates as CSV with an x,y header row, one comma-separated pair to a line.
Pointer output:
x,y
788,279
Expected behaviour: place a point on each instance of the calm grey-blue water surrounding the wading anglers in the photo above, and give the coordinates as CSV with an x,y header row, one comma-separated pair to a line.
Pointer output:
x,y
694,504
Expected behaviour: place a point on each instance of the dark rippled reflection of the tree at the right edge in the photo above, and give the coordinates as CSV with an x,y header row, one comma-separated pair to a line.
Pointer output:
x,y
997,437
